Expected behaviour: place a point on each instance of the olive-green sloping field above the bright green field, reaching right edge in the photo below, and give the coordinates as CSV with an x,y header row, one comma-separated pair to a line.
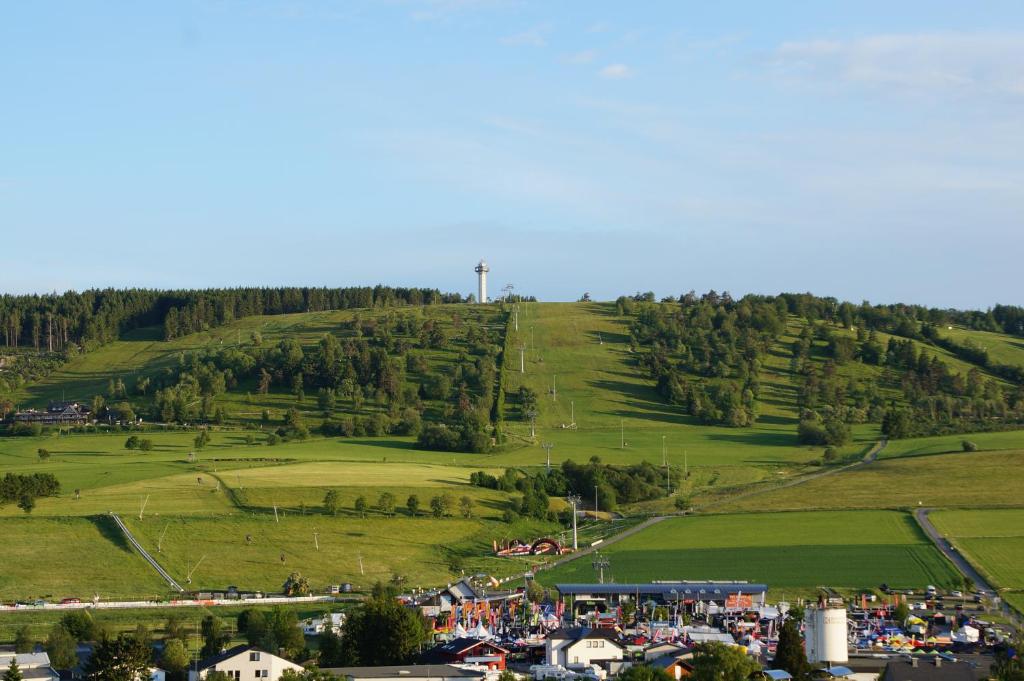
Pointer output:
x,y
967,481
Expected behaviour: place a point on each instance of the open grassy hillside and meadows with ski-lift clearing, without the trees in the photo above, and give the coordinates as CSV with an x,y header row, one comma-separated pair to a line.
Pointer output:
x,y
594,399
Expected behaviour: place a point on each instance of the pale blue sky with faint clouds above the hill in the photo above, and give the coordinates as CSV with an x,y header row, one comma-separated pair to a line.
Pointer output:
x,y
860,150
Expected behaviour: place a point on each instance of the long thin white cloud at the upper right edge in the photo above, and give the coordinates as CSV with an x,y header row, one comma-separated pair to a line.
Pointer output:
x,y
987,62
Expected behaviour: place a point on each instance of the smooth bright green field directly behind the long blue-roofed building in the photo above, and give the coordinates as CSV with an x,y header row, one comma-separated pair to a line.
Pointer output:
x,y
796,551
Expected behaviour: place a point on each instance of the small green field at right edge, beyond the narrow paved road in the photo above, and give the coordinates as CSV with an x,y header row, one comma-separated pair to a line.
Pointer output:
x,y
992,540
